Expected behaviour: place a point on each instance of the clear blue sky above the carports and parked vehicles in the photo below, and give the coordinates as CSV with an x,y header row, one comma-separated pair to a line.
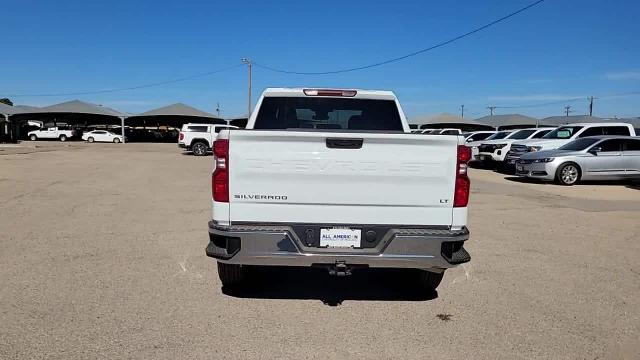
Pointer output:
x,y
554,51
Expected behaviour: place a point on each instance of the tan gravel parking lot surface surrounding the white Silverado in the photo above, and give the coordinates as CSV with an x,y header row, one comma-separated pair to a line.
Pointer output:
x,y
102,256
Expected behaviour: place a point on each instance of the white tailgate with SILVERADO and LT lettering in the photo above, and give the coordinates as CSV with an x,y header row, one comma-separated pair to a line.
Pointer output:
x,y
326,178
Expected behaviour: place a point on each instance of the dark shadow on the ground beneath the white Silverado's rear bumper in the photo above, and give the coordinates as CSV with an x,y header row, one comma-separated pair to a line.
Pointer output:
x,y
316,284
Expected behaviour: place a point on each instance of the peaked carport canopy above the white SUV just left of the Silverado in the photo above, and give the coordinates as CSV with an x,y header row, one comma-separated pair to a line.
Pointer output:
x,y
175,115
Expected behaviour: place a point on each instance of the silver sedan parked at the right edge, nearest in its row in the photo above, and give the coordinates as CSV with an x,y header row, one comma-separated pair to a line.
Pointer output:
x,y
589,158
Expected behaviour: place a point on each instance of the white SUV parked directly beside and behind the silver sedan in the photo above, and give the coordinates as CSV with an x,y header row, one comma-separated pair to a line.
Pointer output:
x,y
565,134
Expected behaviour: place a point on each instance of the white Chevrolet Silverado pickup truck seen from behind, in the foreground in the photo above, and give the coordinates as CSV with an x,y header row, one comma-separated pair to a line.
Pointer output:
x,y
334,178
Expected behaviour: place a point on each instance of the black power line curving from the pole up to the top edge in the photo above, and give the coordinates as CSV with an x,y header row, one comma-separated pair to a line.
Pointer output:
x,y
441,44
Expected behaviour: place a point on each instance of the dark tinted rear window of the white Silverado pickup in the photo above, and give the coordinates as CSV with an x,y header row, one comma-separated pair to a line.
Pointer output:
x,y
328,113
